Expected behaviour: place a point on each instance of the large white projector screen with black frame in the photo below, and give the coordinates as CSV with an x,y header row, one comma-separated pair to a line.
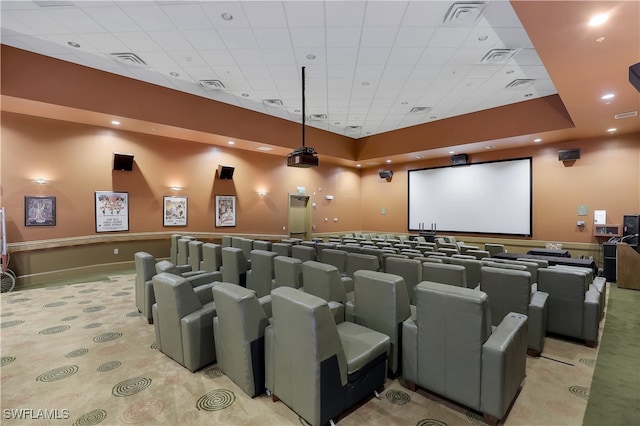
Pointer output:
x,y
493,197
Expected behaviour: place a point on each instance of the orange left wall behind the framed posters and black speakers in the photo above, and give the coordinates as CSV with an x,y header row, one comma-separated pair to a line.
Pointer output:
x,y
77,160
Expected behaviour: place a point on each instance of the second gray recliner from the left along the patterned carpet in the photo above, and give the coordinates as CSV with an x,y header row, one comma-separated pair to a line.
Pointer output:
x,y
183,321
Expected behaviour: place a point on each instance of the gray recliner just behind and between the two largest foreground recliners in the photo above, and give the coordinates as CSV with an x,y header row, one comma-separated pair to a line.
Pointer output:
x,y
381,303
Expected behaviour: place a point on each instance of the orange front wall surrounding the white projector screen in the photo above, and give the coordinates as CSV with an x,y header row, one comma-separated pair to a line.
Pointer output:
x,y
606,177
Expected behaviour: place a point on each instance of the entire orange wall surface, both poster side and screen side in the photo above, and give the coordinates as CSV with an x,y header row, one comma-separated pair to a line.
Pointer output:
x,y
77,160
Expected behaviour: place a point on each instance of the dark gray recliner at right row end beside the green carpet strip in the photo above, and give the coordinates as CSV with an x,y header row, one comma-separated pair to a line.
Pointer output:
x,y
574,307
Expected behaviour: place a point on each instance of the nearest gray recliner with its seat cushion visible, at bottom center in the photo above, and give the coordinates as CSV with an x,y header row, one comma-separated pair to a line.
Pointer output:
x,y
317,367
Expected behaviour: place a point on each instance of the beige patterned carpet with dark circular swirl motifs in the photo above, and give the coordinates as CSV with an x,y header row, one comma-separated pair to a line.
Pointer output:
x,y
81,354
